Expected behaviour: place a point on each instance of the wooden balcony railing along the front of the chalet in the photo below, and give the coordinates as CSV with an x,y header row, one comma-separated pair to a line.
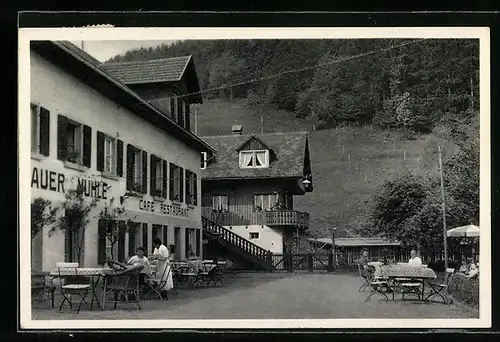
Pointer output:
x,y
268,218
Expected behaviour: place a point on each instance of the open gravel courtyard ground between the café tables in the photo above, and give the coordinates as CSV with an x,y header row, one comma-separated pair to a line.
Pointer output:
x,y
271,296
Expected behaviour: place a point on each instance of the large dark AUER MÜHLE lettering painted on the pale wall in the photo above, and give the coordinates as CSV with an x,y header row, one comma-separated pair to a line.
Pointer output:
x,y
55,181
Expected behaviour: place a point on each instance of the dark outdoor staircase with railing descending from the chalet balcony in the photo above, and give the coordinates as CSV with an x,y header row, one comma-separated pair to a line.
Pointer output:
x,y
254,254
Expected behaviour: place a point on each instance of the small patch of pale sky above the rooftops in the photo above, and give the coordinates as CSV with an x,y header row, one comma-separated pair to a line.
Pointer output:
x,y
104,50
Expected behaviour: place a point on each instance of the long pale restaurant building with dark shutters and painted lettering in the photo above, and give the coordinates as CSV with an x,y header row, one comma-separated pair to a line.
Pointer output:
x,y
93,133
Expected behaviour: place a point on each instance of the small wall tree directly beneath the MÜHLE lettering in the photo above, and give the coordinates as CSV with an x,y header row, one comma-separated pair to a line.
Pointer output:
x,y
76,209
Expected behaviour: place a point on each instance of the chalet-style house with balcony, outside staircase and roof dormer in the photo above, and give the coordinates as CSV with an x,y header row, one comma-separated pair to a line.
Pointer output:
x,y
247,193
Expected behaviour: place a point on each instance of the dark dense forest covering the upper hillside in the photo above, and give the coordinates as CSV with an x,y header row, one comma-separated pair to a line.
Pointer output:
x,y
409,85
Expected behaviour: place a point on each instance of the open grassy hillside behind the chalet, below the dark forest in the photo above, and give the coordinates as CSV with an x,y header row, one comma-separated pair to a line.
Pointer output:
x,y
342,188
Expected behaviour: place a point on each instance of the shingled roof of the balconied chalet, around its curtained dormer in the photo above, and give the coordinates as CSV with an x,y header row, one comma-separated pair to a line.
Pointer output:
x,y
289,151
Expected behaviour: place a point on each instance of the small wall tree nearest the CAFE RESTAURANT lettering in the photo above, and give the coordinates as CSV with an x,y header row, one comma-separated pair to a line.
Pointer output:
x,y
117,222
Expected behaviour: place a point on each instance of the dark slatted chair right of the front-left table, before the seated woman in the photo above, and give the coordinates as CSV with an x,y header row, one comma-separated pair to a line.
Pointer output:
x,y
121,284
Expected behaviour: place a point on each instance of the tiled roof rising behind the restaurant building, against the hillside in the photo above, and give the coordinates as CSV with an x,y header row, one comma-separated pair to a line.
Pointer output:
x,y
152,71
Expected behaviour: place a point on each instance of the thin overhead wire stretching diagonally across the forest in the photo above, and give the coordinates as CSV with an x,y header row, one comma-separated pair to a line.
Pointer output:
x,y
334,61
